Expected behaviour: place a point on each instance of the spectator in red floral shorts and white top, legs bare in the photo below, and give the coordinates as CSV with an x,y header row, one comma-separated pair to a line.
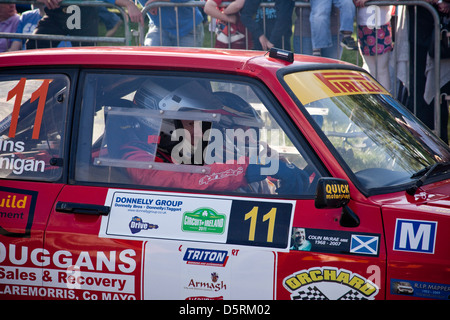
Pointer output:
x,y
375,41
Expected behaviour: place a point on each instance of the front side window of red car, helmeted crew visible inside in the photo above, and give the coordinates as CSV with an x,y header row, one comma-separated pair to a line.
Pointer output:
x,y
190,133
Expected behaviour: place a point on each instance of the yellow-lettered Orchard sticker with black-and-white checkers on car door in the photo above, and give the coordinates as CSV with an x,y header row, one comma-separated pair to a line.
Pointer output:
x,y
329,283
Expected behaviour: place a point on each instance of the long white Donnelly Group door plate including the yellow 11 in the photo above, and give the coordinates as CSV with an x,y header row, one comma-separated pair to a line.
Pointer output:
x,y
256,222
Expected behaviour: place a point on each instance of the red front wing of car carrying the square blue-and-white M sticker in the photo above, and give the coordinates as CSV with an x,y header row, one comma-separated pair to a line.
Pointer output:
x,y
417,233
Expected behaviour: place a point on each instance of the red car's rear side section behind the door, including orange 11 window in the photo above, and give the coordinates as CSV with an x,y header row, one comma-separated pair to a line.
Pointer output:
x,y
34,107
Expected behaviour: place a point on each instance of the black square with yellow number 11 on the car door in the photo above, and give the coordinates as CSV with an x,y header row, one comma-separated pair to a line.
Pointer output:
x,y
258,223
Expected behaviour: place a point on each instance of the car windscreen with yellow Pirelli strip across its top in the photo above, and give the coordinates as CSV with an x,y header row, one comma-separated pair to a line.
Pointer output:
x,y
380,141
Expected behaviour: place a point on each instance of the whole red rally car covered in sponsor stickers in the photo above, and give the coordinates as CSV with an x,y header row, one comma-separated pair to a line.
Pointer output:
x,y
157,173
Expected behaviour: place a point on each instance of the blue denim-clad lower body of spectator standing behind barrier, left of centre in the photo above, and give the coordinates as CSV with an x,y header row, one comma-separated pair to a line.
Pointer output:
x,y
188,32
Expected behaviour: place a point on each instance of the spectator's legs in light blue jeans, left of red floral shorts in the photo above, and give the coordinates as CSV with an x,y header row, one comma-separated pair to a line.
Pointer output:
x,y
320,24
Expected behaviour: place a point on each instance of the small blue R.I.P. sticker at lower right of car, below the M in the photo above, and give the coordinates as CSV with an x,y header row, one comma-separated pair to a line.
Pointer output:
x,y
420,289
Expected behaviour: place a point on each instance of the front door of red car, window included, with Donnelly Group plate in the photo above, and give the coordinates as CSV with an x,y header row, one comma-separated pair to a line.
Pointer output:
x,y
113,237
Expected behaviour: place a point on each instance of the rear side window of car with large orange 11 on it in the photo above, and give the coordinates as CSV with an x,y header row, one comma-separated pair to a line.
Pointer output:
x,y
32,118
